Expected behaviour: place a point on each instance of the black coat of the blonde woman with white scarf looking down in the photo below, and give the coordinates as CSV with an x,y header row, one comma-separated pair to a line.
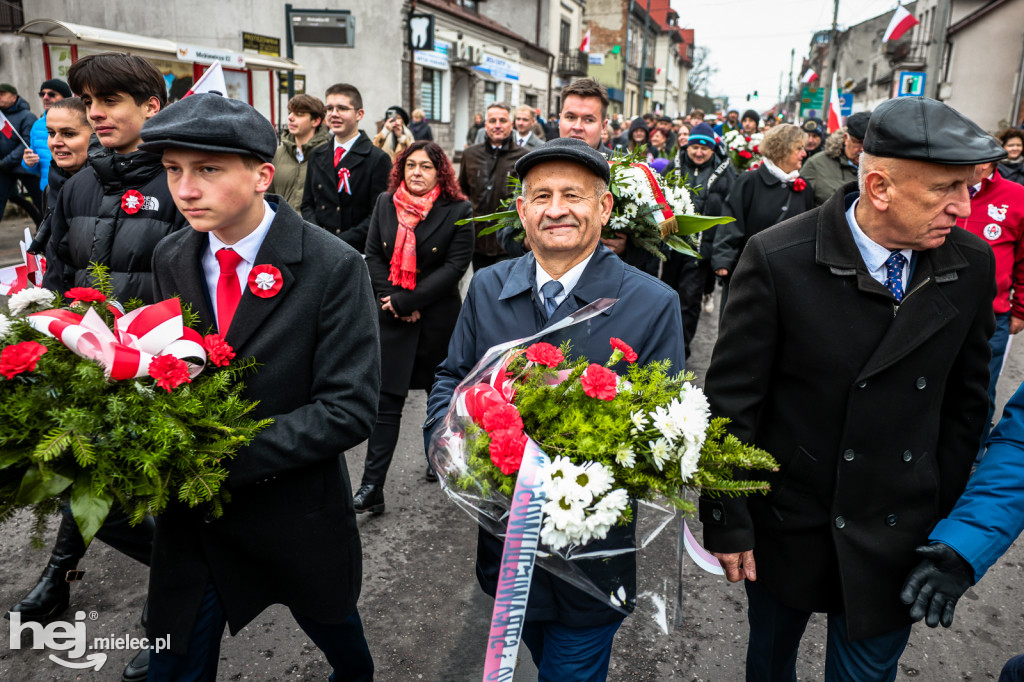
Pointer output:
x,y
758,201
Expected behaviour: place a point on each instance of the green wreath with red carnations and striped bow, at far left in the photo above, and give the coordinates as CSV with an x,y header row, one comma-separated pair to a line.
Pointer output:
x,y
104,406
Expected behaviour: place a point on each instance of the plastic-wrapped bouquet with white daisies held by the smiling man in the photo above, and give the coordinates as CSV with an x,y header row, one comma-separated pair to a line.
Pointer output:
x,y
611,452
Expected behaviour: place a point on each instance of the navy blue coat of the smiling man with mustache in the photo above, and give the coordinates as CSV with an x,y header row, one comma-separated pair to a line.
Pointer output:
x,y
501,307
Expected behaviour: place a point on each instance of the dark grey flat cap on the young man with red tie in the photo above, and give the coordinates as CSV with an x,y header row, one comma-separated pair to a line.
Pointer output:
x,y
208,122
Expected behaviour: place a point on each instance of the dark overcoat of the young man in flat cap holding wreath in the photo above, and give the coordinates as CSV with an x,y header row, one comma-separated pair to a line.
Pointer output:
x,y
288,535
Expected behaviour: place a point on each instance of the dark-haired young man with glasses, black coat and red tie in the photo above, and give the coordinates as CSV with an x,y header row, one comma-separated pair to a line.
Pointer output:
x,y
345,178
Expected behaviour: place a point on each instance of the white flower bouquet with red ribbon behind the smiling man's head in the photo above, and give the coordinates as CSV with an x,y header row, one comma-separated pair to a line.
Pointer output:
x,y
649,208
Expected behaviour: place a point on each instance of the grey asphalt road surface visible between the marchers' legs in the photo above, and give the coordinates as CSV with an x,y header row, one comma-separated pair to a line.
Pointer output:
x,y
426,619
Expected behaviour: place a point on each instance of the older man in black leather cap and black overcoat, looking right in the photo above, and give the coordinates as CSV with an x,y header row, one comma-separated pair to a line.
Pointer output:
x,y
856,351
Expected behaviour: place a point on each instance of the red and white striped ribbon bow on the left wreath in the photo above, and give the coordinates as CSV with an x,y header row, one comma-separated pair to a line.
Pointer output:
x,y
126,352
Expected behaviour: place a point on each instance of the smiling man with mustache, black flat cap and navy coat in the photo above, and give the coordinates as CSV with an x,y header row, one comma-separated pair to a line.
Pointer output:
x,y
565,204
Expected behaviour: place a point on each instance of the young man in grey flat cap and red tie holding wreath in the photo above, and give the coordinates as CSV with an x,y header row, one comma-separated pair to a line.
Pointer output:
x,y
288,536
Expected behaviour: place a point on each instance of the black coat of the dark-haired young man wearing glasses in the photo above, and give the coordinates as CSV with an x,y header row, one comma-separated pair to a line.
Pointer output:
x,y
344,215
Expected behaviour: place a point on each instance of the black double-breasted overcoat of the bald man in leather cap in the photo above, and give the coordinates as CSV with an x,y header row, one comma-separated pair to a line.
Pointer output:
x,y
873,409
